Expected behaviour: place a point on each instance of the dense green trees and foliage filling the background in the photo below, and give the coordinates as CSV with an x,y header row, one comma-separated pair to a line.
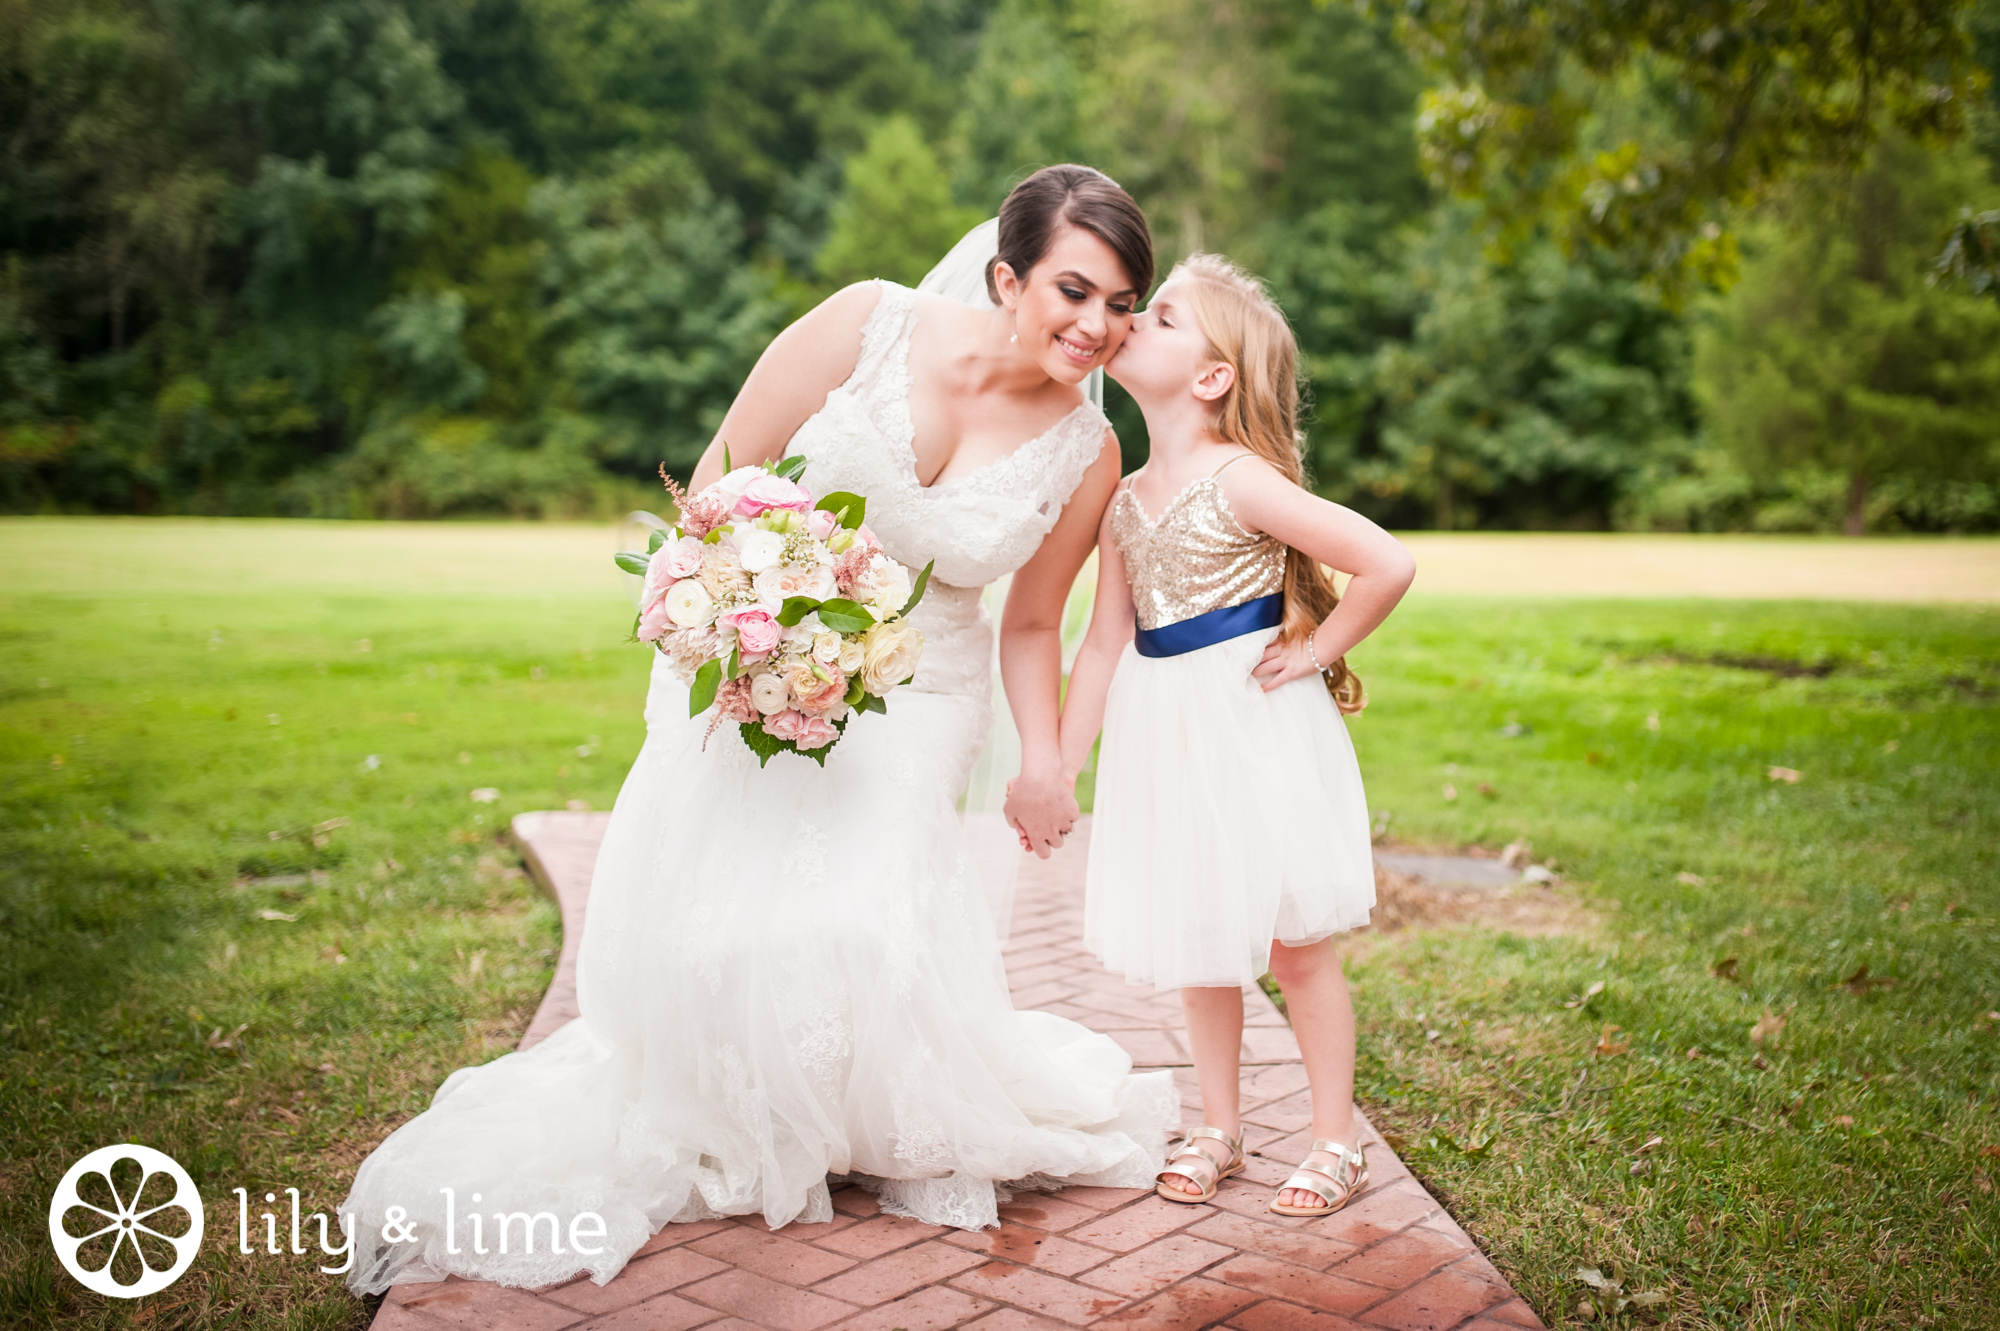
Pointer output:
x,y
507,257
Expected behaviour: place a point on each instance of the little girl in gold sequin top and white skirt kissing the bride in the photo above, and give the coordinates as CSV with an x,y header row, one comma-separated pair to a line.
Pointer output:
x,y
1231,830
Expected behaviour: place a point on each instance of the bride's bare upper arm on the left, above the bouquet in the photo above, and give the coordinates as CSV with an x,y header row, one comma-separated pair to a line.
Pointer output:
x,y
791,381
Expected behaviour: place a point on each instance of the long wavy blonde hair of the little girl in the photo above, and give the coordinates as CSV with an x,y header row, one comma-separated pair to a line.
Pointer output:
x,y
1249,333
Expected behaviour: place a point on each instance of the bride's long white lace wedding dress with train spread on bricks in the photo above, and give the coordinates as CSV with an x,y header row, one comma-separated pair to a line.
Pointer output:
x,y
793,972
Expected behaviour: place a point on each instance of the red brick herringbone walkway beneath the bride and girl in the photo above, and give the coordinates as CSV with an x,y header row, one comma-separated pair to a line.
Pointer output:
x,y
1087,1256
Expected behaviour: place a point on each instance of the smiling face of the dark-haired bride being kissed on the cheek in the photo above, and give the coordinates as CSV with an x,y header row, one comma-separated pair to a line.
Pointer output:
x,y
1075,305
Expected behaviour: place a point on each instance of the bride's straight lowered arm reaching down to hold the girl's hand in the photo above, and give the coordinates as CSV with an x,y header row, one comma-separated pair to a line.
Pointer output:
x,y
1031,657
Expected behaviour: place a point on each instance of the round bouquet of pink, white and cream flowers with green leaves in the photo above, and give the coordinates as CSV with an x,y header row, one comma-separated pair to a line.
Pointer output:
x,y
777,609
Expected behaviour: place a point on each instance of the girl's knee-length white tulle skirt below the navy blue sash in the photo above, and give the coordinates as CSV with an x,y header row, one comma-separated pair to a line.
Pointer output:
x,y
1225,818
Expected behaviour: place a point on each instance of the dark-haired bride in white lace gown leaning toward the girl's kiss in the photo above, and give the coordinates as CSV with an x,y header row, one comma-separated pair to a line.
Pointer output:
x,y
791,974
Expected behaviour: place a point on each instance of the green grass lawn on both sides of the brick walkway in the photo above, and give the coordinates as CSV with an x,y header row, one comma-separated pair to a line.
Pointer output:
x,y
193,706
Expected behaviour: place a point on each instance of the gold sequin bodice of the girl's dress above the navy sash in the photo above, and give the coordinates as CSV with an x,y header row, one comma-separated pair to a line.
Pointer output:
x,y
1195,559
